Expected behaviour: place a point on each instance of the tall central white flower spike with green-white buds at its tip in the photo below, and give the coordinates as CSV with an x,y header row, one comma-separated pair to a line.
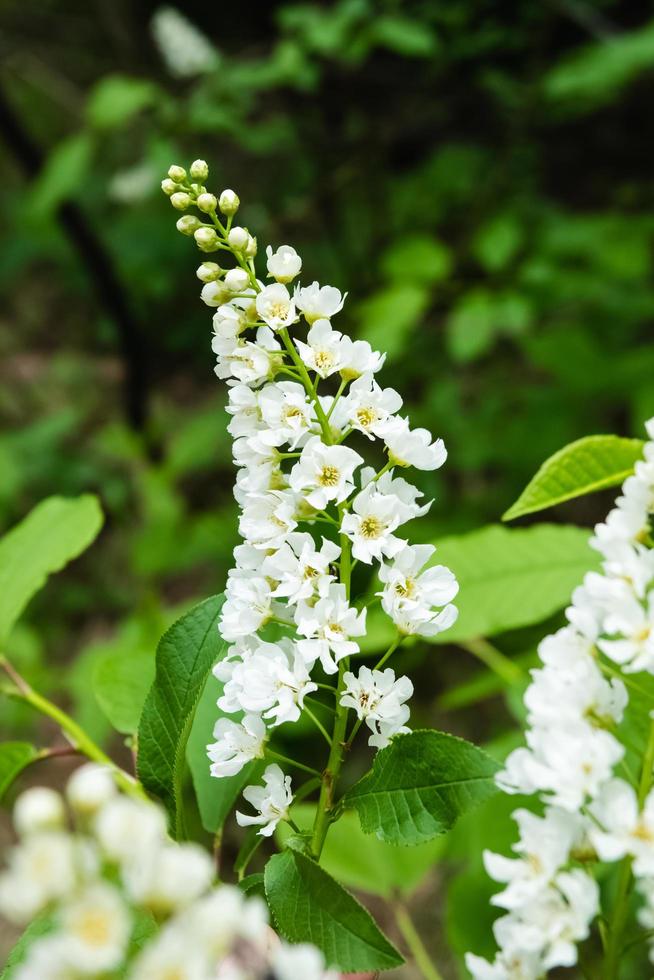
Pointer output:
x,y
309,507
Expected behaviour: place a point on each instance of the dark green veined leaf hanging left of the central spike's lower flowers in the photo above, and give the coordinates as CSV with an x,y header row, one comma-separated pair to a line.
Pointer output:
x,y
185,655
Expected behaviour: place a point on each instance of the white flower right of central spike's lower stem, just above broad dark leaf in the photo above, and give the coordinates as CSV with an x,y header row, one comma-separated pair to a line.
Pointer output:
x,y
378,698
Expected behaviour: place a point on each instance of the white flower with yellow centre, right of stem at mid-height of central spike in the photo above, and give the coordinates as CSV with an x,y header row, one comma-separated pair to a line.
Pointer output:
x,y
370,524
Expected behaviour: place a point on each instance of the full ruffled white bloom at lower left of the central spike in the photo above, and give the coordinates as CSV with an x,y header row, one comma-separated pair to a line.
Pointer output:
x,y
271,680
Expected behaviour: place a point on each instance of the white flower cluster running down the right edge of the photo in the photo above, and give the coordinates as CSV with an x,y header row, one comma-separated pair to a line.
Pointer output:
x,y
575,702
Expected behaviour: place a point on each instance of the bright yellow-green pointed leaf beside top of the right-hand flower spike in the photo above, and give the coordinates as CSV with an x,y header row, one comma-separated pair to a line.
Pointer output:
x,y
589,464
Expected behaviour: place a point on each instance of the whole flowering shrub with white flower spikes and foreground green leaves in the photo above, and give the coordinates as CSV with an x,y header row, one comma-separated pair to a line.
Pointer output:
x,y
322,454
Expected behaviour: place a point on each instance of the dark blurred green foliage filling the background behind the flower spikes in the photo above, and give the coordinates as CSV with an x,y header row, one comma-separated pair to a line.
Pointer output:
x,y
477,176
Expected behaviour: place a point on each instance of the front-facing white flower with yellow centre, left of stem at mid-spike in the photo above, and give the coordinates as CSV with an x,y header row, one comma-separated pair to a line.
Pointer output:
x,y
324,473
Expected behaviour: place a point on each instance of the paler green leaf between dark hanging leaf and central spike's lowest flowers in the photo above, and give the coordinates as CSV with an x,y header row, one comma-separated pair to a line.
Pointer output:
x,y
215,797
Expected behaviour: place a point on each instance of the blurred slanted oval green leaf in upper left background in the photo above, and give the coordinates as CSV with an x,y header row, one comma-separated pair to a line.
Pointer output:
x,y
63,173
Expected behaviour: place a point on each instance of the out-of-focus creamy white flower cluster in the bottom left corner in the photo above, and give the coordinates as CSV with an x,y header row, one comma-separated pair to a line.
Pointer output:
x,y
118,898
